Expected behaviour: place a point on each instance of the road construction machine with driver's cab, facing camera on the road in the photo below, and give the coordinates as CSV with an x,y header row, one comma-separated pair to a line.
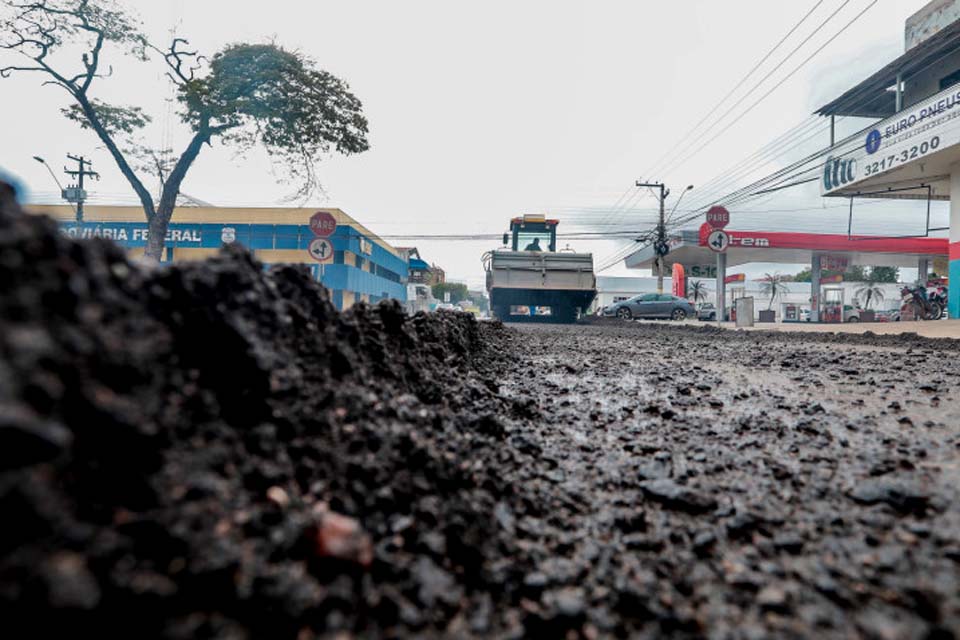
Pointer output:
x,y
530,281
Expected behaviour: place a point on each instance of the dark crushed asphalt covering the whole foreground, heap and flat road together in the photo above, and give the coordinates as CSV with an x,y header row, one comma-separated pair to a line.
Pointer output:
x,y
211,450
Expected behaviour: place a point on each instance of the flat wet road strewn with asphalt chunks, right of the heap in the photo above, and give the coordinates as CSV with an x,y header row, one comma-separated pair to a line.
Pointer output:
x,y
739,484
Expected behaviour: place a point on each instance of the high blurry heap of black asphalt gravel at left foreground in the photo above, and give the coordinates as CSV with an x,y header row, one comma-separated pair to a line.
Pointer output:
x,y
212,450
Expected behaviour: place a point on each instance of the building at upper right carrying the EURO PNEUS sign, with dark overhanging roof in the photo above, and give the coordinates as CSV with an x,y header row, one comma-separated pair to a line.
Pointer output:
x,y
913,151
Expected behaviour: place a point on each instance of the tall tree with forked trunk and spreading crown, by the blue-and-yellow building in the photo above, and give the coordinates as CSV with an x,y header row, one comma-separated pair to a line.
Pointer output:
x,y
245,95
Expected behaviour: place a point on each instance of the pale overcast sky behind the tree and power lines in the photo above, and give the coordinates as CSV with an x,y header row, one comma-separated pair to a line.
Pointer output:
x,y
480,111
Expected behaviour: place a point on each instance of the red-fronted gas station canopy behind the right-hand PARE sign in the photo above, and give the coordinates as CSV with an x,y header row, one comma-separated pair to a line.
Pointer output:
x,y
690,249
